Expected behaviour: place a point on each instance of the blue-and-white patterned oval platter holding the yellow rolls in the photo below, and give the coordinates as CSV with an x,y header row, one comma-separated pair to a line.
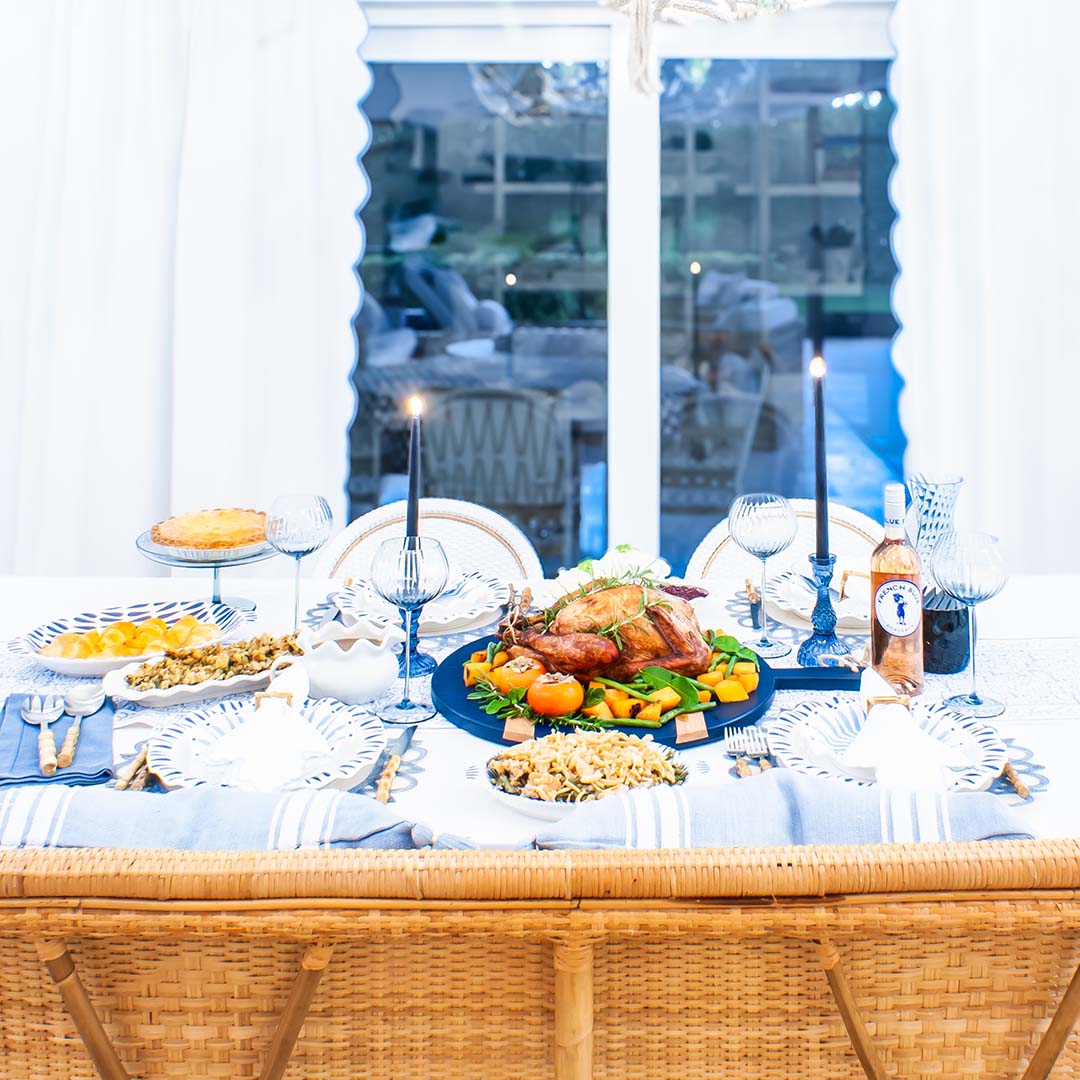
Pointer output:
x,y
227,619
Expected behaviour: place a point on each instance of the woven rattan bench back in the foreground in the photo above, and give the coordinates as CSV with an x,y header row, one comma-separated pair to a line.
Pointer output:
x,y
938,961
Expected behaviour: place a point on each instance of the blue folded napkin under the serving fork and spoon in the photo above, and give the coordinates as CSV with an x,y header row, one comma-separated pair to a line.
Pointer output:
x,y
19,748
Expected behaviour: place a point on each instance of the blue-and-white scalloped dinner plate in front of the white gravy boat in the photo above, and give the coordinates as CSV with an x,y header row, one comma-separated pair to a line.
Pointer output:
x,y
182,754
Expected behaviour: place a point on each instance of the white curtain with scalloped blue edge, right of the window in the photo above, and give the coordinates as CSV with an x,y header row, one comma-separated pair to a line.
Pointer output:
x,y
989,245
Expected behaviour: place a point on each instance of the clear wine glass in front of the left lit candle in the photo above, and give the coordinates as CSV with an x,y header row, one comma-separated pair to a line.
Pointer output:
x,y
409,573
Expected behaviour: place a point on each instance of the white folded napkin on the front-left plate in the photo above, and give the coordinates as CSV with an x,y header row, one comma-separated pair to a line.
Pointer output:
x,y
273,749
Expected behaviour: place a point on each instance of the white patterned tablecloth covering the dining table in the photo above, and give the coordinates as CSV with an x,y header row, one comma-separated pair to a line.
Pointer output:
x,y
1030,657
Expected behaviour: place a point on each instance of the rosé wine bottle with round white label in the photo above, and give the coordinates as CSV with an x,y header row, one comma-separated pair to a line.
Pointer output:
x,y
897,601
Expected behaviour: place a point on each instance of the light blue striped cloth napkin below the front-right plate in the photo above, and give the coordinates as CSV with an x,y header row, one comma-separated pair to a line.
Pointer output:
x,y
779,808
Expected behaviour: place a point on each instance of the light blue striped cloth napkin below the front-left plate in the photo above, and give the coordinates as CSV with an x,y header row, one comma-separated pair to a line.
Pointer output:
x,y
205,819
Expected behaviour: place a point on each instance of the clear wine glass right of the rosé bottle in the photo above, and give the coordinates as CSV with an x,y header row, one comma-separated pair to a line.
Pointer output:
x,y
970,568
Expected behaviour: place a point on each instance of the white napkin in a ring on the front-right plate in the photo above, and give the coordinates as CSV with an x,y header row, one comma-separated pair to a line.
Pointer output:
x,y
893,750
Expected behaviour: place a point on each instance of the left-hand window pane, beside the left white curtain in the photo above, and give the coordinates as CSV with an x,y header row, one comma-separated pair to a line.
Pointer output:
x,y
485,273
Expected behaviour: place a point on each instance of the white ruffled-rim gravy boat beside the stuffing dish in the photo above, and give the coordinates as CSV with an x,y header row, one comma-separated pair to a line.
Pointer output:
x,y
354,664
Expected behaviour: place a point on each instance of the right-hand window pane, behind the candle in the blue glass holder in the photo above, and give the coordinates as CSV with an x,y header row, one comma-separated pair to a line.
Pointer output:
x,y
775,242
